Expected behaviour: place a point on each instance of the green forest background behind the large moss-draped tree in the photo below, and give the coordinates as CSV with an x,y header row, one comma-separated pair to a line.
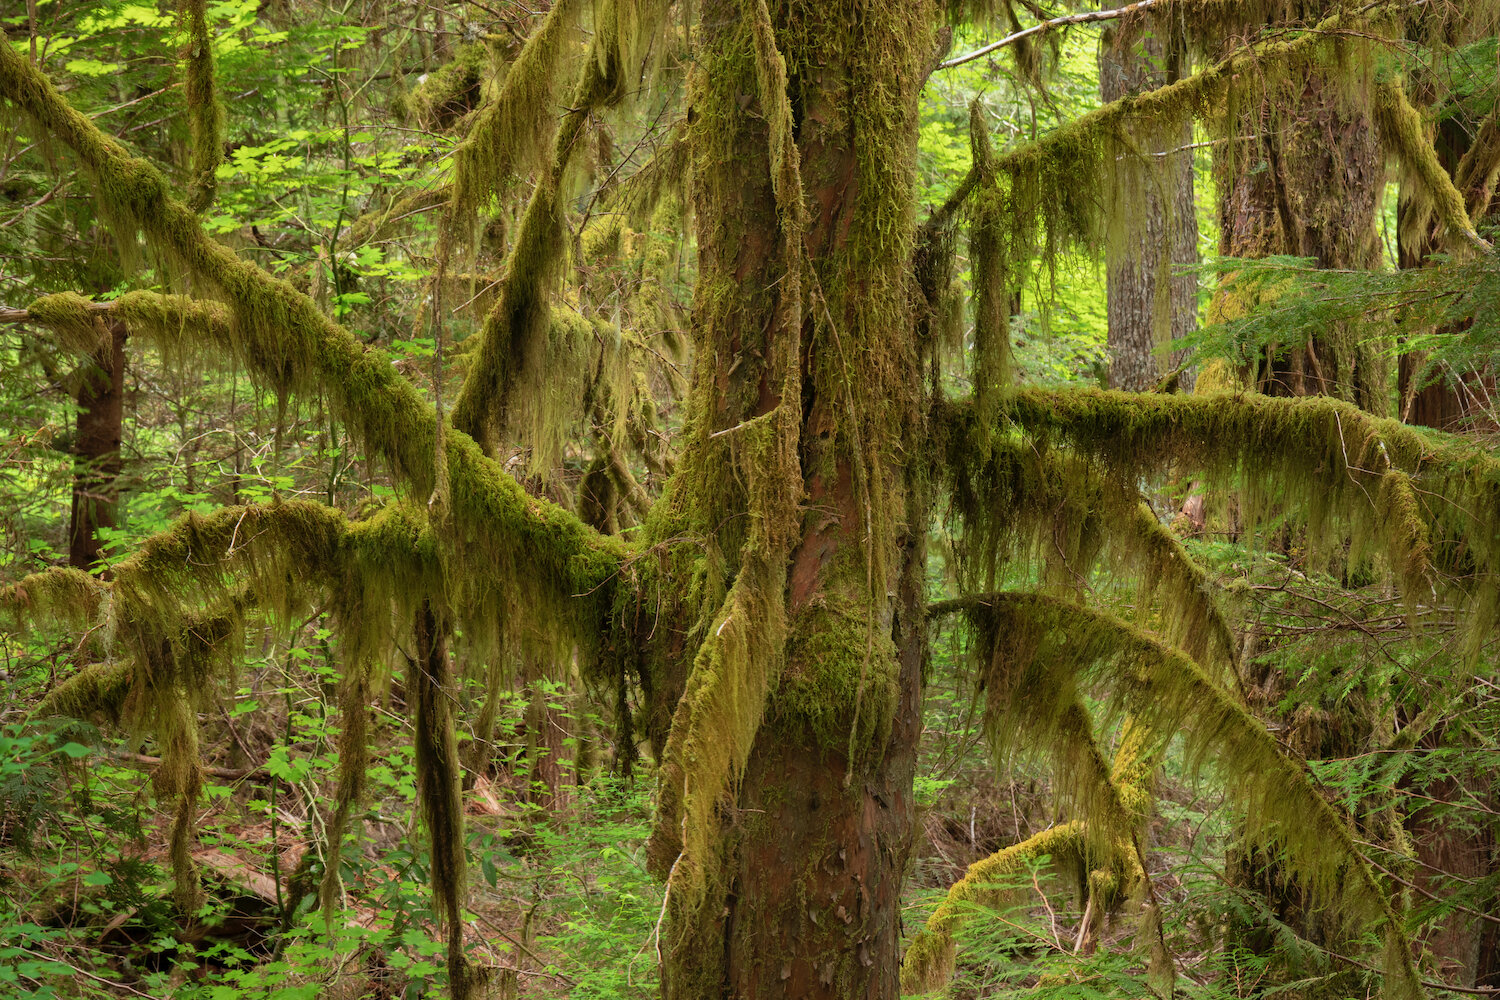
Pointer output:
x,y
338,128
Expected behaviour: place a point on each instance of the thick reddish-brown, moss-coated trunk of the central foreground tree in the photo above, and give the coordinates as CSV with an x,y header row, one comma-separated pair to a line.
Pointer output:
x,y
802,897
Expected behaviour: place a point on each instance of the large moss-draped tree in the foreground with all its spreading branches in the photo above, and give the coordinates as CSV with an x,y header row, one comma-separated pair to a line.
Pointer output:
x,y
770,609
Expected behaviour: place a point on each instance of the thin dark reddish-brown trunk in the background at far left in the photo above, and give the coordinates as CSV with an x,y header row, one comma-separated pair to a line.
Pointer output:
x,y
97,451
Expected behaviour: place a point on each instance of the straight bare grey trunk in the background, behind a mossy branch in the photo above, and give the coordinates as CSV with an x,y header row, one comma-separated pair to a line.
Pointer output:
x,y
1153,293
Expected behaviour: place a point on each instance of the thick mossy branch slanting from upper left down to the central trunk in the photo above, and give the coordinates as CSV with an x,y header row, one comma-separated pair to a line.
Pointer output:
x,y
286,341
